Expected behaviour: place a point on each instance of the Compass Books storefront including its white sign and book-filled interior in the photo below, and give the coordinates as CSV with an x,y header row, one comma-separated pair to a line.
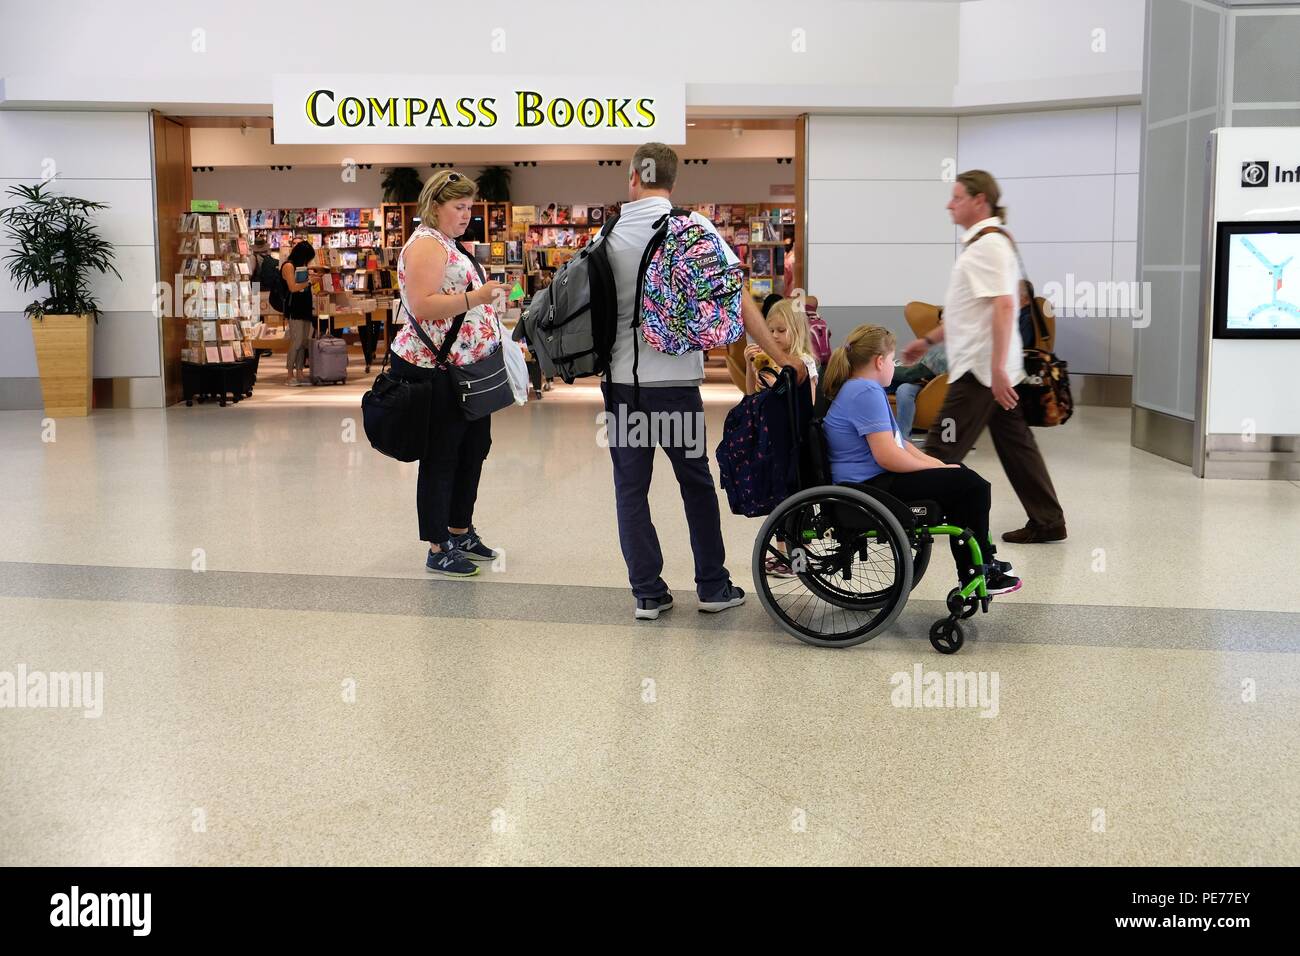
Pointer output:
x,y
346,181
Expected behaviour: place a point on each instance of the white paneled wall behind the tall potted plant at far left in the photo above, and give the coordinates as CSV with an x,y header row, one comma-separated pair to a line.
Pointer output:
x,y
107,158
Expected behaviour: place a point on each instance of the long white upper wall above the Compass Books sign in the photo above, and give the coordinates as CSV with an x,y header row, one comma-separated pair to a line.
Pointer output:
x,y
762,54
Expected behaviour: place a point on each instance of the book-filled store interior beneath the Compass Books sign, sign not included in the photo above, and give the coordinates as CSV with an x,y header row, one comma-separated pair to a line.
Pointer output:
x,y
535,213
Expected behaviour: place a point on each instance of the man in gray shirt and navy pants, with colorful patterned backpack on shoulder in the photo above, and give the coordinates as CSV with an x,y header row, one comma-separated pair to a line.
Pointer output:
x,y
679,292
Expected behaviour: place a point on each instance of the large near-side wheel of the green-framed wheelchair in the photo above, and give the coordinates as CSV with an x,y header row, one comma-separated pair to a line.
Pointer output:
x,y
852,566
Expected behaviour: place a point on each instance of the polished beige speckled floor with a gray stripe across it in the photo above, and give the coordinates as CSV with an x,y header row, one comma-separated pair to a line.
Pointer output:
x,y
283,684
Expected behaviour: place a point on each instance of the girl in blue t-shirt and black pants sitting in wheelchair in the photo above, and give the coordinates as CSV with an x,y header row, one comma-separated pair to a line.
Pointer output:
x,y
866,448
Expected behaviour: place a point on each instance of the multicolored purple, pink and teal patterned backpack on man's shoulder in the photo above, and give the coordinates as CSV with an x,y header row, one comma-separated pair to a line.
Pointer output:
x,y
688,295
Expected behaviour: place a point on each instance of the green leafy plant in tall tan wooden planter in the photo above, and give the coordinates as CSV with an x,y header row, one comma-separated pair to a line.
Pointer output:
x,y
57,248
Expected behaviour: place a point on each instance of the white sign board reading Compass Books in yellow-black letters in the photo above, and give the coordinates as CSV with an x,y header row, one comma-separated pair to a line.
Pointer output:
x,y
421,110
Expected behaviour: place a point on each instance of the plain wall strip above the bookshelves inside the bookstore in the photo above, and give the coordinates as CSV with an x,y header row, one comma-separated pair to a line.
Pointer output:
x,y
324,187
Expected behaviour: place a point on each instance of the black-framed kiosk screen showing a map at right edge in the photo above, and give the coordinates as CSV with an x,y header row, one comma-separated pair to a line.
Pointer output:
x,y
1258,283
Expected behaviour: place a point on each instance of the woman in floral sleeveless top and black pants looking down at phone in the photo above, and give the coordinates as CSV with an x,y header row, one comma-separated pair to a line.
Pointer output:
x,y
440,280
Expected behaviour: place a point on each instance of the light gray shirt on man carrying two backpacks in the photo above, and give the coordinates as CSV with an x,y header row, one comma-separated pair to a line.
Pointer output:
x,y
626,245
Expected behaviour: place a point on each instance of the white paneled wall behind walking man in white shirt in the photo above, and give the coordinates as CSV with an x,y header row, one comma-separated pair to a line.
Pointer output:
x,y
879,235
